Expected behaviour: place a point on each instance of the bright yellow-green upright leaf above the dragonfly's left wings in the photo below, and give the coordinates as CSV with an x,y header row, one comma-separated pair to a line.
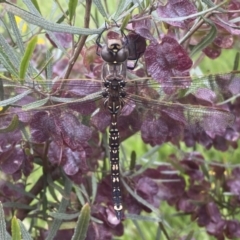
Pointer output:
x,y
26,58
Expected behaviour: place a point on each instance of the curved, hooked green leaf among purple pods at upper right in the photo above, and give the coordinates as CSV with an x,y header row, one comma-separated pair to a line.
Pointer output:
x,y
207,39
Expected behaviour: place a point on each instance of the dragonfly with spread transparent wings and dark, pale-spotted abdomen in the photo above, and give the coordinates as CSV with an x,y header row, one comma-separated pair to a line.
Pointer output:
x,y
65,111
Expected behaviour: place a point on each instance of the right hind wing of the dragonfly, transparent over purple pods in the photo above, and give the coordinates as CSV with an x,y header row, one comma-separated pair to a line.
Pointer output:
x,y
161,121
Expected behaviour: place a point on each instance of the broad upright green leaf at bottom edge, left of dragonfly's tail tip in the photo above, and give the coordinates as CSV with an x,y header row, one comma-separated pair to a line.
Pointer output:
x,y
80,231
